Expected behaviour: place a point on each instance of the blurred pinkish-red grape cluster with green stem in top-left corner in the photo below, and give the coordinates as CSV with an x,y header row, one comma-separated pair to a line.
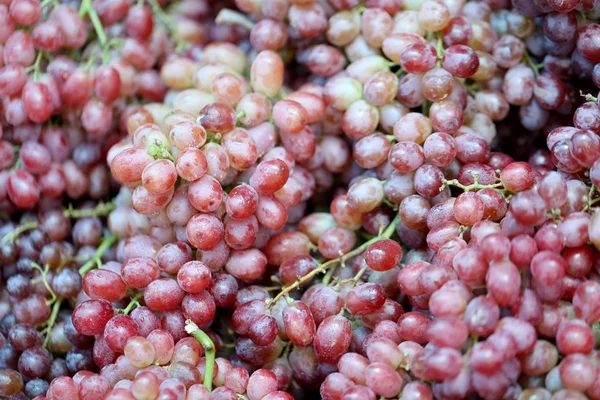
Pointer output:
x,y
61,114
